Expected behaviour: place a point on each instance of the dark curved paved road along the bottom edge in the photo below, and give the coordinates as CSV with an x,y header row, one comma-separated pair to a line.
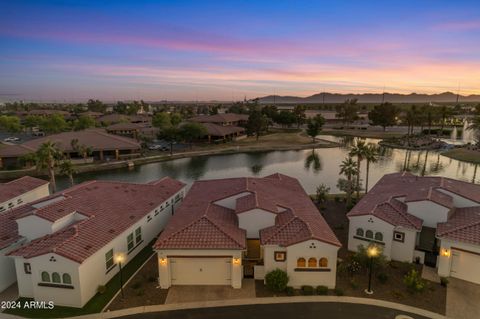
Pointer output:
x,y
310,310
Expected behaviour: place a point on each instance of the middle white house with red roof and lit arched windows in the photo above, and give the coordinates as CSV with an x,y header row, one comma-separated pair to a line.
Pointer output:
x,y
228,229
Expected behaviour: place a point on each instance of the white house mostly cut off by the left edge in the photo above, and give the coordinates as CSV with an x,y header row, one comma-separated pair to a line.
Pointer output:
x,y
14,194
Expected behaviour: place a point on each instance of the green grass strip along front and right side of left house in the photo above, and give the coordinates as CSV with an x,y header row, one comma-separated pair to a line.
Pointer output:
x,y
97,303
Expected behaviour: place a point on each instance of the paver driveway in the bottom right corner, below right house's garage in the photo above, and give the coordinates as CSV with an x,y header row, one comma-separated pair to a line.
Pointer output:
x,y
463,299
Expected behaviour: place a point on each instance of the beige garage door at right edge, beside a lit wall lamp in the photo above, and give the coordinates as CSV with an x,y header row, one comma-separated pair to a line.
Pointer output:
x,y
465,266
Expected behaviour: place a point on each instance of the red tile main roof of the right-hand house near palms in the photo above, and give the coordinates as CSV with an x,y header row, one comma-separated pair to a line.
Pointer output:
x,y
412,188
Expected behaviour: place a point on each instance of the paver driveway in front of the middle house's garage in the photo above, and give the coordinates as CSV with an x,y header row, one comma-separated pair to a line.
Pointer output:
x,y
182,294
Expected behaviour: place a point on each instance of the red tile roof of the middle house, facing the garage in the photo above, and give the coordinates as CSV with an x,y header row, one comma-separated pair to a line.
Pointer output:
x,y
188,227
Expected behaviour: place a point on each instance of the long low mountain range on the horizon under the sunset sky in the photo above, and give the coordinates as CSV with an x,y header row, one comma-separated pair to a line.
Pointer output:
x,y
446,97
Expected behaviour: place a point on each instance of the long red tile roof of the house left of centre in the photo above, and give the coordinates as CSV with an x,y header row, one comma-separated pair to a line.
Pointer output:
x,y
109,209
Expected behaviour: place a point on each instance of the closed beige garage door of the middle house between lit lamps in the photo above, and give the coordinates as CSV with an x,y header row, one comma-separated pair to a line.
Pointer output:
x,y
201,271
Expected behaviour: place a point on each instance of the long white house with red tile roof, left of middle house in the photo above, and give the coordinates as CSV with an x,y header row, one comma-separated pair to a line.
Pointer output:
x,y
74,237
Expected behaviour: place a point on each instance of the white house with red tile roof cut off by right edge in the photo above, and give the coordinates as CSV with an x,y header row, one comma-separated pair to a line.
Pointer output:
x,y
430,220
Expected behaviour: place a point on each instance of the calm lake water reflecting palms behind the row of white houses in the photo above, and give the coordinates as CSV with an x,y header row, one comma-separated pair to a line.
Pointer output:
x,y
311,167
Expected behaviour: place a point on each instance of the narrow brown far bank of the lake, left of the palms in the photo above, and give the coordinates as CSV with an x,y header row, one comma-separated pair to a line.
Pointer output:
x,y
231,149
